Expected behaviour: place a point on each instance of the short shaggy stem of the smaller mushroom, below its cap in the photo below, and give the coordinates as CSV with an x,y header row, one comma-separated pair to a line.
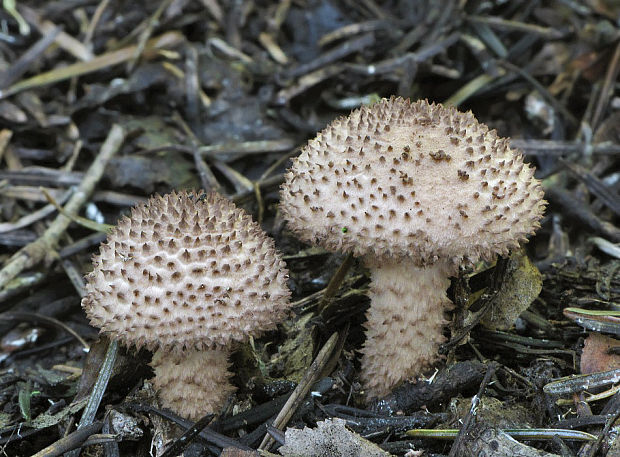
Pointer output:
x,y
194,383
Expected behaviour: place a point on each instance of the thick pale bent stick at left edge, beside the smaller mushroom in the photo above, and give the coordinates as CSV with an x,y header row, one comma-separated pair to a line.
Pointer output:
x,y
36,251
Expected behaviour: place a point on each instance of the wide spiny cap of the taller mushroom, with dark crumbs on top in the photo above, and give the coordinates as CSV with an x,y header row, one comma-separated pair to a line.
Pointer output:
x,y
410,179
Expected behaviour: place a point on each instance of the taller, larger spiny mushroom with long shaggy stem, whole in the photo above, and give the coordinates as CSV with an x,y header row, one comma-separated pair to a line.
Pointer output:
x,y
415,190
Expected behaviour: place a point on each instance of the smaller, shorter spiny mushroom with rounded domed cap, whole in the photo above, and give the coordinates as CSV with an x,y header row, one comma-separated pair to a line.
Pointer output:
x,y
187,274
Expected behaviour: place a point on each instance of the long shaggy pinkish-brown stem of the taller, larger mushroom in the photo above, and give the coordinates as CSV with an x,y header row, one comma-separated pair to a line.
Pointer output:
x,y
405,321
